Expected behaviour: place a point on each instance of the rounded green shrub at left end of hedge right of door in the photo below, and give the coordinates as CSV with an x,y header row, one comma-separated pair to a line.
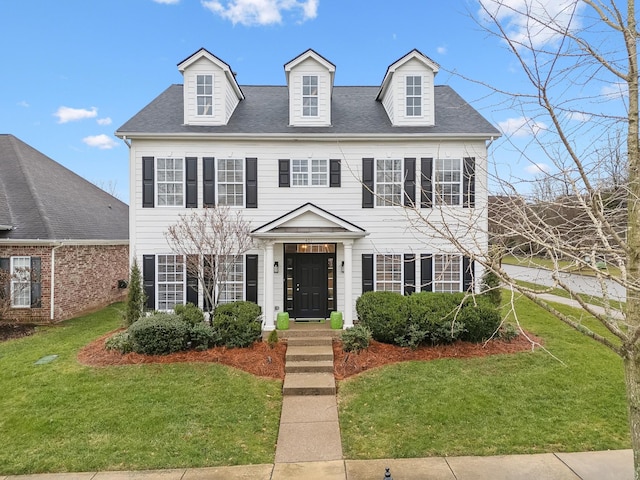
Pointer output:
x,y
384,313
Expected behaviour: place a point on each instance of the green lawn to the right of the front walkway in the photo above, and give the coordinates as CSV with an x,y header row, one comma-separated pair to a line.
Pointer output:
x,y
523,403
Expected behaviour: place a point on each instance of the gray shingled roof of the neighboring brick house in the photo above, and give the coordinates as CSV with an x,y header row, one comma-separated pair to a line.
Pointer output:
x,y
43,200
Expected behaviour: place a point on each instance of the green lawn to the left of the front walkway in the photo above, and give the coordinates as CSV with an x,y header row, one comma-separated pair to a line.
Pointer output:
x,y
63,416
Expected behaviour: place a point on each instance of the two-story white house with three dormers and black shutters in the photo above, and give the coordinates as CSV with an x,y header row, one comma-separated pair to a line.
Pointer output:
x,y
331,178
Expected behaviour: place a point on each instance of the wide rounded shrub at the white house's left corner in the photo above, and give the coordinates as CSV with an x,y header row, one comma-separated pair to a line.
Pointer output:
x,y
159,334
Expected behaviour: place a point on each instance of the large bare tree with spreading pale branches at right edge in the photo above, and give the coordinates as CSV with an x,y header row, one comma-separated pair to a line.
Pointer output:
x,y
580,63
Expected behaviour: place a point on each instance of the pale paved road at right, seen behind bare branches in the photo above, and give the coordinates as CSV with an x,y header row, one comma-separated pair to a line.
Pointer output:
x,y
579,283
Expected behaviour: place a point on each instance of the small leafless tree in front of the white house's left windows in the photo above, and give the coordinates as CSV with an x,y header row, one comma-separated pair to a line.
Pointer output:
x,y
212,241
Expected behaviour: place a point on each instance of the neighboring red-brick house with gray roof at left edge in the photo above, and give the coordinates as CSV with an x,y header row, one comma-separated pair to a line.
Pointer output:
x,y
64,243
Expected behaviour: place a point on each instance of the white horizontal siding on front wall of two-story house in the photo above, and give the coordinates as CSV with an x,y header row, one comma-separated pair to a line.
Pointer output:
x,y
391,229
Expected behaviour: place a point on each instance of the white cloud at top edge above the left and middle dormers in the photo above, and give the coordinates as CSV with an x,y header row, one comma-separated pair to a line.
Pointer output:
x,y
261,12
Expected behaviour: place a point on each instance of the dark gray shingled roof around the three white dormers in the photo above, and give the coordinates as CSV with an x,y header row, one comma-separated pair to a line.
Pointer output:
x,y
265,110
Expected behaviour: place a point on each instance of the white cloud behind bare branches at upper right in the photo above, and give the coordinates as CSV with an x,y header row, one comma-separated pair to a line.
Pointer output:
x,y
534,22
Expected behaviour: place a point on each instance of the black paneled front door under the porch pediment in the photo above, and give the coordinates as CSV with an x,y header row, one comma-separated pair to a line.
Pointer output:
x,y
310,295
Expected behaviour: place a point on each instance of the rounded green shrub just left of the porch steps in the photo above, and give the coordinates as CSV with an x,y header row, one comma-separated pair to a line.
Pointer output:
x,y
237,324
